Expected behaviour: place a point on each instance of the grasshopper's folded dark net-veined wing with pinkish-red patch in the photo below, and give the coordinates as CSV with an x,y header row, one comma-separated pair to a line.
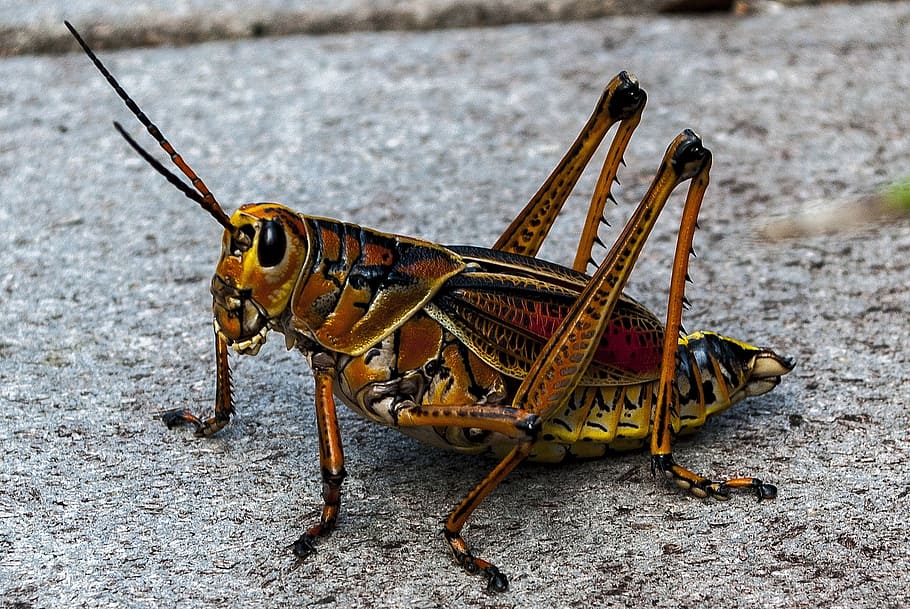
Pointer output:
x,y
504,307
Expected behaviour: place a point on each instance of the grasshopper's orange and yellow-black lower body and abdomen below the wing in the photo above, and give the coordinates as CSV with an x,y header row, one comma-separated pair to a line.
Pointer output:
x,y
423,363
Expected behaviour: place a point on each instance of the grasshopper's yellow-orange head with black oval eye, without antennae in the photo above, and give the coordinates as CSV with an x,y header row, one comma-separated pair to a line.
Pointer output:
x,y
253,283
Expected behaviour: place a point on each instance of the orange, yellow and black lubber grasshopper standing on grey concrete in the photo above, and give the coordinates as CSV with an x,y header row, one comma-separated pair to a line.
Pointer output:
x,y
481,350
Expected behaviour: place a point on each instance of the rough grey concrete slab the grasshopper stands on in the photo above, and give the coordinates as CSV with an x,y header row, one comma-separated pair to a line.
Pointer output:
x,y
105,313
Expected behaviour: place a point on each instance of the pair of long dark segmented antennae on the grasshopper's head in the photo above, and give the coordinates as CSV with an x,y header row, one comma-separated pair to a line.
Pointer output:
x,y
198,192
